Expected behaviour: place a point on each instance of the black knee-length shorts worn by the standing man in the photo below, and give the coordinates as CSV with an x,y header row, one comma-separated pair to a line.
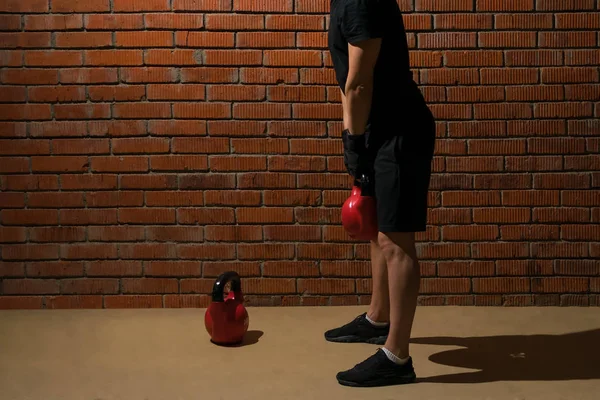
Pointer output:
x,y
402,174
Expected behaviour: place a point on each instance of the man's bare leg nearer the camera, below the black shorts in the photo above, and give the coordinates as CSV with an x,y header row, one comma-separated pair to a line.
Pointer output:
x,y
404,279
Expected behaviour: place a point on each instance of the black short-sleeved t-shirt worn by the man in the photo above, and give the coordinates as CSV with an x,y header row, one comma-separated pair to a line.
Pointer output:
x,y
396,97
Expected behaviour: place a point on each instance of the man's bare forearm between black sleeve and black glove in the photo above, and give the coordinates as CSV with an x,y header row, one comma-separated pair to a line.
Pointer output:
x,y
359,85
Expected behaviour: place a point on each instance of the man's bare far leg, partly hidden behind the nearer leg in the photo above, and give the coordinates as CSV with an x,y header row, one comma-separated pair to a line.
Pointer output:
x,y
379,309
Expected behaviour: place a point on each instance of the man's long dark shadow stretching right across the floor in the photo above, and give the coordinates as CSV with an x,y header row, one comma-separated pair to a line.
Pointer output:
x,y
518,358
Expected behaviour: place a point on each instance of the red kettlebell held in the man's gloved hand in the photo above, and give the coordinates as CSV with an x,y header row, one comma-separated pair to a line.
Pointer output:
x,y
359,212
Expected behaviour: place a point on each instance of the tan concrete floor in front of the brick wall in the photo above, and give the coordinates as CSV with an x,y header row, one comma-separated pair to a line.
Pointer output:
x,y
460,353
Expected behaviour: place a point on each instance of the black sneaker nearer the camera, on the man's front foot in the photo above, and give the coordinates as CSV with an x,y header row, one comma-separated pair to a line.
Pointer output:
x,y
378,370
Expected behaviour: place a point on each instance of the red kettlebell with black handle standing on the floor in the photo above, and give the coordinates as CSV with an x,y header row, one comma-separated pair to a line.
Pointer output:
x,y
226,319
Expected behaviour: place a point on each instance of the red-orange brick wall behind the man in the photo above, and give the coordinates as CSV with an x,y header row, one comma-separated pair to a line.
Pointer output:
x,y
147,145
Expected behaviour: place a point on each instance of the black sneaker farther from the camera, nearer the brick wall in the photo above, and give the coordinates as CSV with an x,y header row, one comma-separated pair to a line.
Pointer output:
x,y
359,330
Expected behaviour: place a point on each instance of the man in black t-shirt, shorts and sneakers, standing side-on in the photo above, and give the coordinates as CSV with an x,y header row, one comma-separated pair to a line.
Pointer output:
x,y
389,134
